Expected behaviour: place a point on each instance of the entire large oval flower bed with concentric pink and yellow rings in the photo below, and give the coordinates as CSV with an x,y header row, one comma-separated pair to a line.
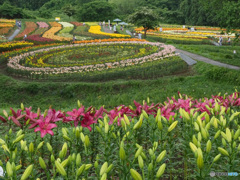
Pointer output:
x,y
98,61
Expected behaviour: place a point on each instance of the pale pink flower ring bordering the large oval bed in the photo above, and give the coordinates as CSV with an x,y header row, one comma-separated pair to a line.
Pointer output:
x,y
14,62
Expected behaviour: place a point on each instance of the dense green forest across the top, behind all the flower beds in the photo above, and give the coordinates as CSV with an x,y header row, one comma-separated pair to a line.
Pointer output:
x,y
222,13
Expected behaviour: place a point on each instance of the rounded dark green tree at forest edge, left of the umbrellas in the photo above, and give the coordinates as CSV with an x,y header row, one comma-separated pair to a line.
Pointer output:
x,y
96,11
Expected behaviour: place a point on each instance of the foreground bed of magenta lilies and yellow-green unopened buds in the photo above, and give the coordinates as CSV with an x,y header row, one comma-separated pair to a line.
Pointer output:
x,y
181,138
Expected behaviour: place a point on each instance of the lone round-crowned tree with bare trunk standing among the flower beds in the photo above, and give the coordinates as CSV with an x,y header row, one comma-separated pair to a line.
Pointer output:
x,y
144,17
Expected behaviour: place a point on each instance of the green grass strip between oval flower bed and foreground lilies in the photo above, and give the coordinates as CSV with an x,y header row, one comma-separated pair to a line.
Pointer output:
x,y
198,83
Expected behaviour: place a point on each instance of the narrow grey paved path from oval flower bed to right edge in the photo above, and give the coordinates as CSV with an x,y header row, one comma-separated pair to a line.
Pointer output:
x,y
207,60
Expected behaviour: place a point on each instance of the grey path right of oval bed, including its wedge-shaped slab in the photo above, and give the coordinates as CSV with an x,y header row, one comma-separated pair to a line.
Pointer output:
x,y
188,57
